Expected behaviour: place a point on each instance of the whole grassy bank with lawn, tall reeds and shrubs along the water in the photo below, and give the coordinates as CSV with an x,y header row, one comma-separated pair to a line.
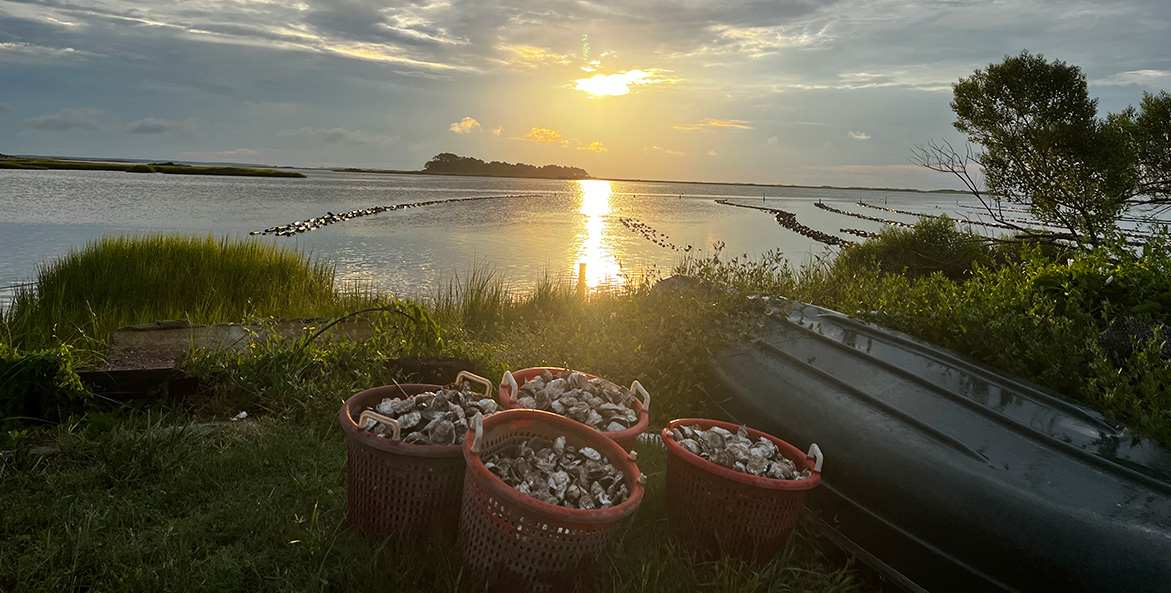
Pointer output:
x,y
134,497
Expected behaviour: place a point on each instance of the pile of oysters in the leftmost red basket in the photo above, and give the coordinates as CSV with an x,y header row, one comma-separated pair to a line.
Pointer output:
x,y
434,418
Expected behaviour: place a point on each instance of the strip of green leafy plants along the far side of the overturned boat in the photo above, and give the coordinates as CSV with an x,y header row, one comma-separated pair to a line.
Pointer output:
x,y
1035,317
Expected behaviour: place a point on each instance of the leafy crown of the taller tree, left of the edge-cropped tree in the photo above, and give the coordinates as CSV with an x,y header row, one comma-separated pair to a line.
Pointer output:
x,y
1045,146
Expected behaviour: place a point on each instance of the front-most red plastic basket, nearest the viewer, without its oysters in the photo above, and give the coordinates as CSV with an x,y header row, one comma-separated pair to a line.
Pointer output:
x,y
522,543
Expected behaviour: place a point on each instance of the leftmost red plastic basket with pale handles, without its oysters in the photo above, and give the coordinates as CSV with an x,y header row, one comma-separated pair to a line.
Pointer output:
x,y
394,487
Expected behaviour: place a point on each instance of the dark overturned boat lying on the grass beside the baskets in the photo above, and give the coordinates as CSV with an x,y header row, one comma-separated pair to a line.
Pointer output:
x,y
948,475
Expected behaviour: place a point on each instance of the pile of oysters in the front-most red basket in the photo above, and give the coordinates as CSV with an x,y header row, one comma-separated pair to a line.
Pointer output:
x,y
559,474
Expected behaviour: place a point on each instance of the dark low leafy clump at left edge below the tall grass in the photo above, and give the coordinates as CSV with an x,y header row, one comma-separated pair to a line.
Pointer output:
x,y
39,385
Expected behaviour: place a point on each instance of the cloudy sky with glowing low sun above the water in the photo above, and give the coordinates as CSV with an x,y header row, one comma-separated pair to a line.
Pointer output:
x,y
812,92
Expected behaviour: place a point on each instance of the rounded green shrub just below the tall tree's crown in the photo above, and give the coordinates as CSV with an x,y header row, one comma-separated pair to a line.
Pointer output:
x,y
934,246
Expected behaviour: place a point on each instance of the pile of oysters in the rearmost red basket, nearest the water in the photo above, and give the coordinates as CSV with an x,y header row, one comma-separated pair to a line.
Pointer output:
x,y
594,403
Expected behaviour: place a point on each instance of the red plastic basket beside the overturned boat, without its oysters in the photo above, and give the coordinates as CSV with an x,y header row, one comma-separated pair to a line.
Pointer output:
x,y
714,509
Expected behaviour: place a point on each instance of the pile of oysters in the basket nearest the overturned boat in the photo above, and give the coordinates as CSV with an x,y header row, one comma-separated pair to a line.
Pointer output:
x,y
737,452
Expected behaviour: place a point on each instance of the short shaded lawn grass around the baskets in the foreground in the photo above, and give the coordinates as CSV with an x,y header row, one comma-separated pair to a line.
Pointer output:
x,y
261,506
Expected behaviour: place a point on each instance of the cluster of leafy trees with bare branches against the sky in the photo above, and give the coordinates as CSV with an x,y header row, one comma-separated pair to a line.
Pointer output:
x,y
1040,142
